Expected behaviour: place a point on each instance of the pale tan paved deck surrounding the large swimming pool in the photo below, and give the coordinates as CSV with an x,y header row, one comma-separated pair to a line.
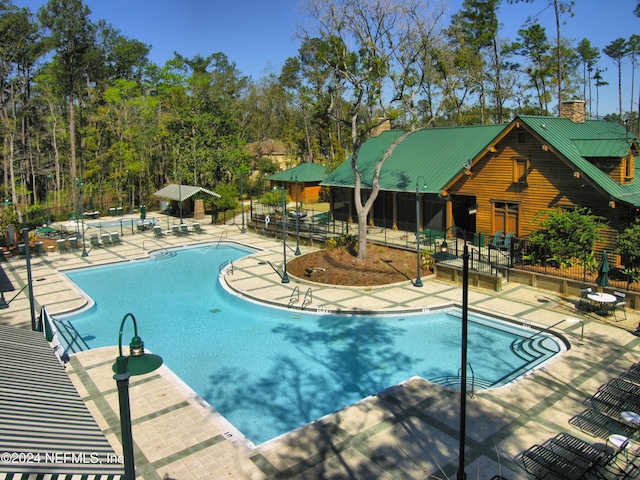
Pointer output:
x,y
406,432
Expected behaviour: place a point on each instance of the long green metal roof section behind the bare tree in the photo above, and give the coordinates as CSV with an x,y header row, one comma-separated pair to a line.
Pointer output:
x,y
436,154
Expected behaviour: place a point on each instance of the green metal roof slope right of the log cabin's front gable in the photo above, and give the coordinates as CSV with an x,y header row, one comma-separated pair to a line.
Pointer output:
x,y
577,142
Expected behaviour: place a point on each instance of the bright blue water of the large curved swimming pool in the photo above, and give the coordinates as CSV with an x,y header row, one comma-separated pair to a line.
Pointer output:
x,y
270,370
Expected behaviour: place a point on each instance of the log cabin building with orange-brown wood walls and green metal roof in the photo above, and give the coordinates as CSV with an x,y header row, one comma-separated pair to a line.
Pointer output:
x,y
496,178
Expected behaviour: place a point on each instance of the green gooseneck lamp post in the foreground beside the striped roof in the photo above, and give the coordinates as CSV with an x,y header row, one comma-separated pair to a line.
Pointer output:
x,y
136,363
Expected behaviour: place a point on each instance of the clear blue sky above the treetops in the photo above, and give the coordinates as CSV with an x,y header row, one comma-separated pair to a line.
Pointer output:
x,y
259,35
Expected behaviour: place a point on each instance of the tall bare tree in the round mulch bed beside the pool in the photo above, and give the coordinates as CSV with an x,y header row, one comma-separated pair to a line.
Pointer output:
x,y
370,45
